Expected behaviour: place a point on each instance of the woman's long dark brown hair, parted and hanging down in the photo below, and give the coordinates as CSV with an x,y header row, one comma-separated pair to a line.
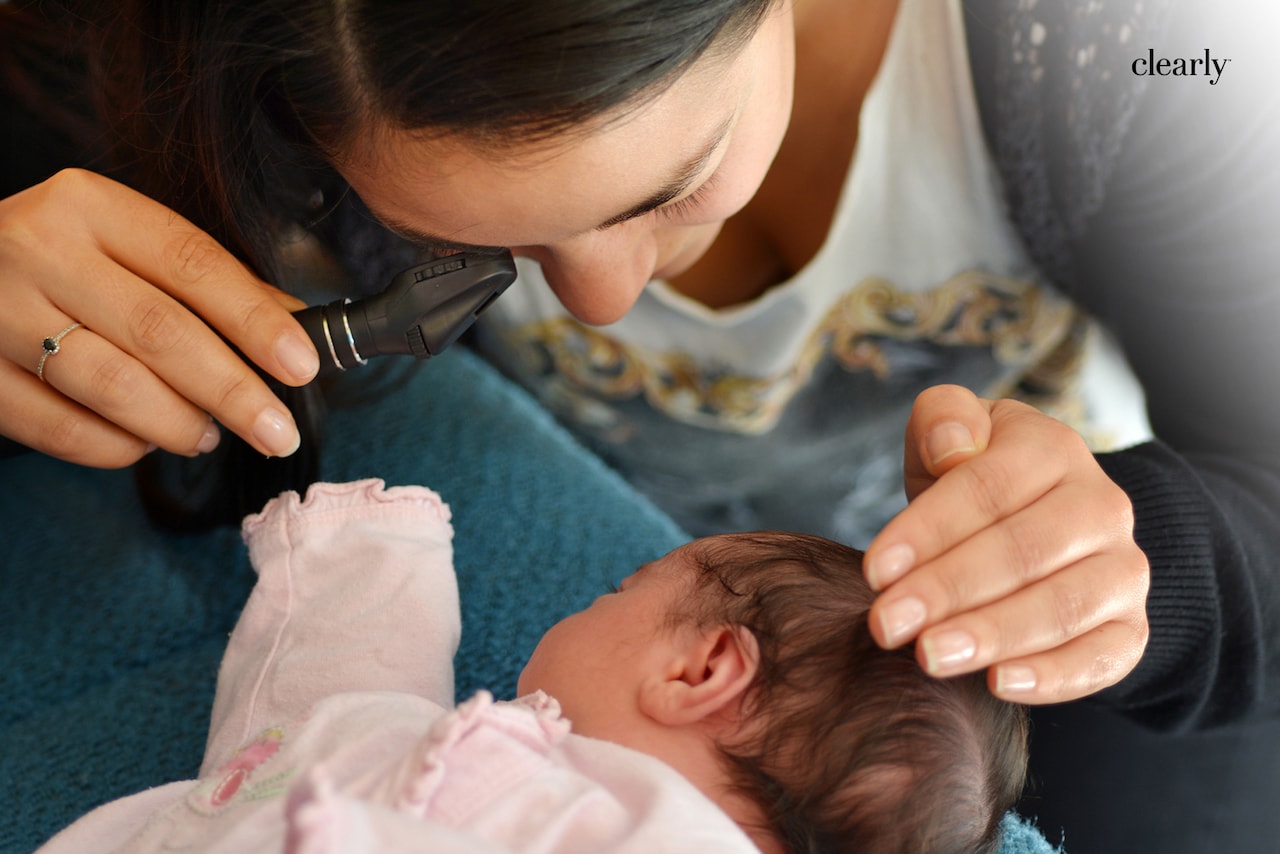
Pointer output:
x,y
231,112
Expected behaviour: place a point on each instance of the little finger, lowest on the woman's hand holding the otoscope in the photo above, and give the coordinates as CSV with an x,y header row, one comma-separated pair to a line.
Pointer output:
x,y
40,418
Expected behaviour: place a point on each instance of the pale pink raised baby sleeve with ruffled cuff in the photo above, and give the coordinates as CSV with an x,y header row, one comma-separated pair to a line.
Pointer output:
x,y
355,593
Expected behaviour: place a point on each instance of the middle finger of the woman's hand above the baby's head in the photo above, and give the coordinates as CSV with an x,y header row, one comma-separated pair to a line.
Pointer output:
x,y
1000,560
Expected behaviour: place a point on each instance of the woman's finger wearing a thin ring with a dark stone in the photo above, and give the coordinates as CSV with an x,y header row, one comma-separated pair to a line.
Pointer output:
x,y
92,371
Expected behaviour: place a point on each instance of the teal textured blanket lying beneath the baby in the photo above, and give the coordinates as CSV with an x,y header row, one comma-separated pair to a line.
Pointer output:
x,y
111,633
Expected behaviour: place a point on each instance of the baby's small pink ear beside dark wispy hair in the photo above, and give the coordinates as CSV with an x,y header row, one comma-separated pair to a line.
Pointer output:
x,y
707,673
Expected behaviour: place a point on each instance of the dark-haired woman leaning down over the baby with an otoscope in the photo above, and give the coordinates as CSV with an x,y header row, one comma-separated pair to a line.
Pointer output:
x,y
824,216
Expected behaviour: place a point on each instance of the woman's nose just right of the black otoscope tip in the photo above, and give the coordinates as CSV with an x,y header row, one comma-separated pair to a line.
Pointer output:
x,y
600,276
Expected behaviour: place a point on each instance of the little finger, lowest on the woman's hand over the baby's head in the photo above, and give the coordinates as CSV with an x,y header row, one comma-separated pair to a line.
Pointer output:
x,y
1085,666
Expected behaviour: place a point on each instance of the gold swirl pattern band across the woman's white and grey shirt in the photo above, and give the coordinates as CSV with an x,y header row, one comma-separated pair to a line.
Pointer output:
x,y
1022,325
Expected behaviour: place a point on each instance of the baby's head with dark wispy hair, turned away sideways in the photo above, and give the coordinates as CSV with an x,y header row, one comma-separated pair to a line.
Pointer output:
x,y
746,663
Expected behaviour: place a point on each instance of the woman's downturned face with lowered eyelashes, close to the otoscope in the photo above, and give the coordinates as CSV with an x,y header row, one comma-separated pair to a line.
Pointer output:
x,y
643,197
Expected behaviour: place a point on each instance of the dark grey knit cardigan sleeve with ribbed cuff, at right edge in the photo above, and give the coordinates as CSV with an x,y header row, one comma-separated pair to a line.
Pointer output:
x,y
1180,257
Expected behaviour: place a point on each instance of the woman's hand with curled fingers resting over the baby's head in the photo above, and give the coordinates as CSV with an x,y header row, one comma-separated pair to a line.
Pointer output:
x,y
1016,554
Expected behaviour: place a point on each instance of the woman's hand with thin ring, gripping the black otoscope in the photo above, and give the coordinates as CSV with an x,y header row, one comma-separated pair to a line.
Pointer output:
x,y
145,369
